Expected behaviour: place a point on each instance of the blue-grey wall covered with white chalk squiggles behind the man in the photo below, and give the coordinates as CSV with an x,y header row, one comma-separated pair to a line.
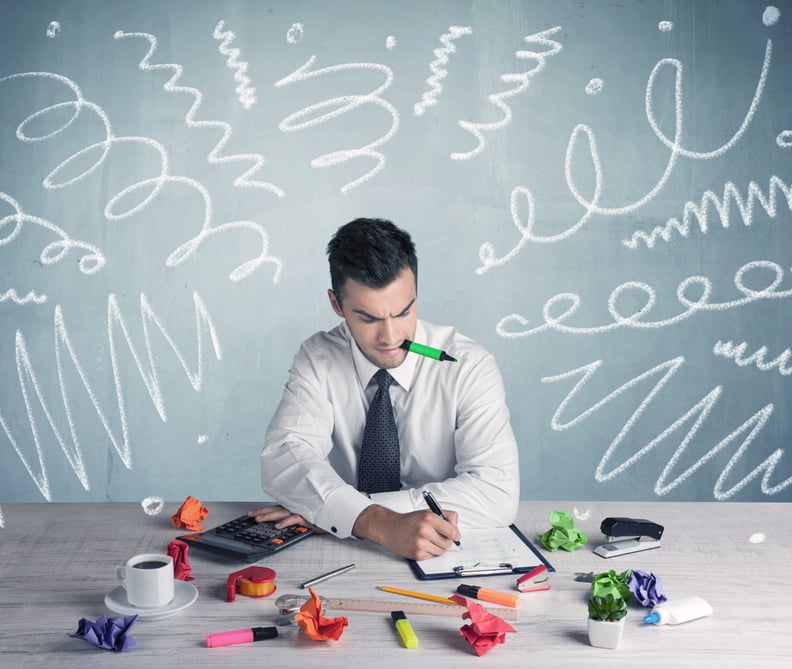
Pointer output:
x,y
599,192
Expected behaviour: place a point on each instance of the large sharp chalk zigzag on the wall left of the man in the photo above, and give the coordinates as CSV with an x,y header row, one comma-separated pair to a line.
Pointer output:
x,y
29,385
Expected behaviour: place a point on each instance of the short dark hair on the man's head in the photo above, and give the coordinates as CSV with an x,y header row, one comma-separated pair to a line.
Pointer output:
x,y
371,251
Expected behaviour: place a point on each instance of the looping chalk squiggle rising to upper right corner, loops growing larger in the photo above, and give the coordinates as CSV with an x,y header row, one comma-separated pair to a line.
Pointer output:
x,y
592,205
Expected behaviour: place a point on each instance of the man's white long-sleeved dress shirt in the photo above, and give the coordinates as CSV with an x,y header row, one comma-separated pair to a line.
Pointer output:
x,y
454,433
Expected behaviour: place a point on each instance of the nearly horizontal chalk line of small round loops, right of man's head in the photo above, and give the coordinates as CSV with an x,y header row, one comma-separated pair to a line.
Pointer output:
x,y
693,305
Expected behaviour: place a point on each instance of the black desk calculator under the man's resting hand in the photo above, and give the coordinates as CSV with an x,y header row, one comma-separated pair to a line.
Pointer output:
x,y
245,539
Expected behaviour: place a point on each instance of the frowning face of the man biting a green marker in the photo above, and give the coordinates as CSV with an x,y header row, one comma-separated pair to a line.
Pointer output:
x,y
380,319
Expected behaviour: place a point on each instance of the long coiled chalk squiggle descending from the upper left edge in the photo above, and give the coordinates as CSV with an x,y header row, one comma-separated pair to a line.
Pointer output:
x,y
153,184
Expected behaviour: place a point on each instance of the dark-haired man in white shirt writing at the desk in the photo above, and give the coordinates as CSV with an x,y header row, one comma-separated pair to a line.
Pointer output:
x,y
454,435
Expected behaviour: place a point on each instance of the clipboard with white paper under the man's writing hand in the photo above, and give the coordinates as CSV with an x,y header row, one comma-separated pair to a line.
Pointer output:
x,y
484,552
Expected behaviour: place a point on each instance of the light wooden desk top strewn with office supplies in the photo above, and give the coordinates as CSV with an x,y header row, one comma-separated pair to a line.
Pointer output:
x,y
57,563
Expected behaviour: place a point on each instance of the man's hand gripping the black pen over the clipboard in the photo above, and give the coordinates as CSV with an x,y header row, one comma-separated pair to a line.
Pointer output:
x,y
418,535
